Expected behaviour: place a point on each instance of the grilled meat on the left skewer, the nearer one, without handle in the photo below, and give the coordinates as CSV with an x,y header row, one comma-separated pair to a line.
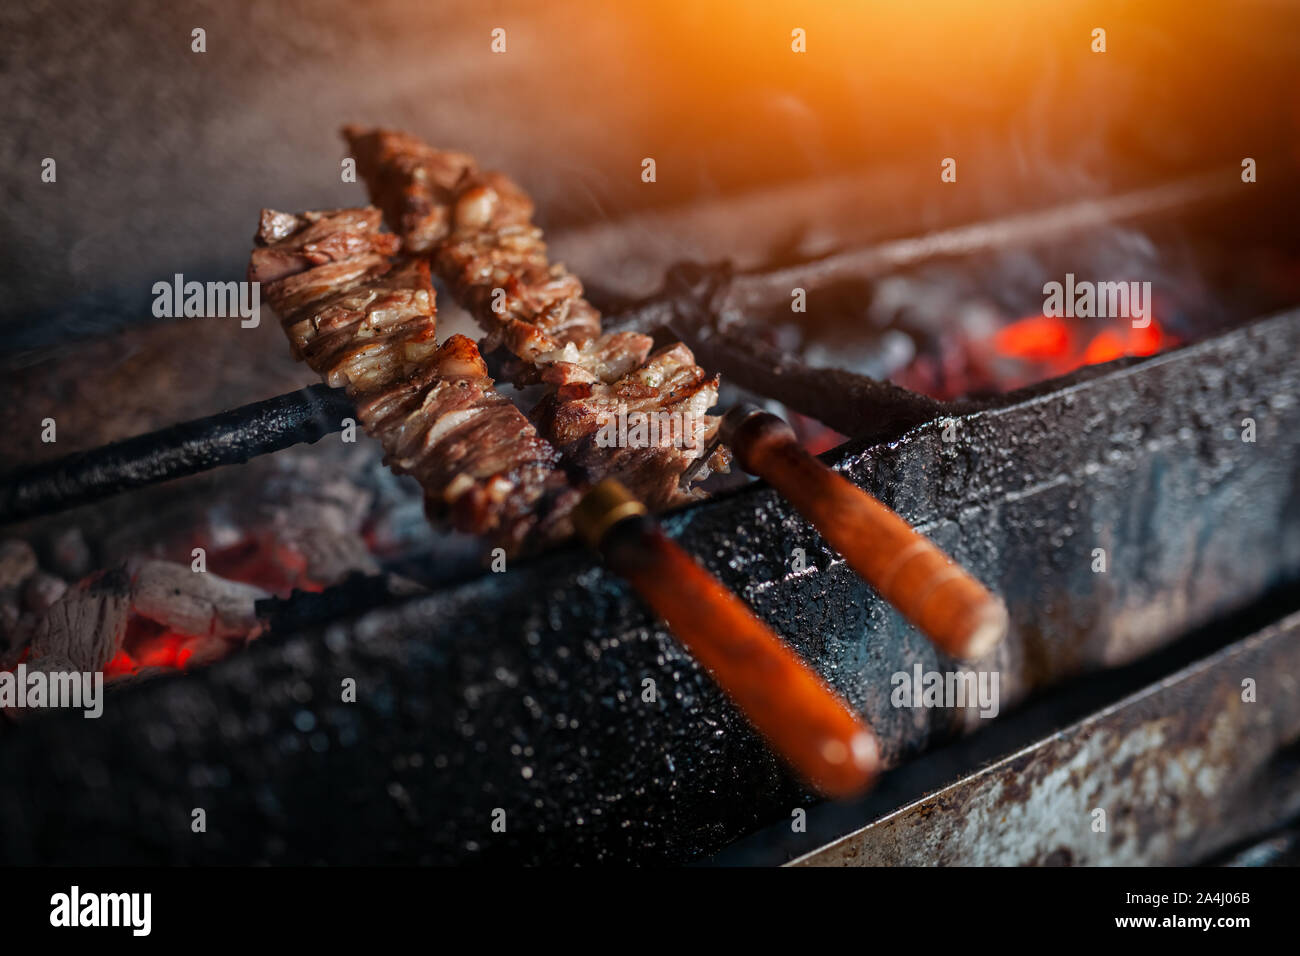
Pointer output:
x,y
369,325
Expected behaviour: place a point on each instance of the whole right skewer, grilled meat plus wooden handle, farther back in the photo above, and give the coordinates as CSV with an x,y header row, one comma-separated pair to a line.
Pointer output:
x,y
478,230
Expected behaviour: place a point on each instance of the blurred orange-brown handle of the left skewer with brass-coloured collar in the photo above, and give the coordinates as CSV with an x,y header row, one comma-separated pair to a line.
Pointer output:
x,y
804,721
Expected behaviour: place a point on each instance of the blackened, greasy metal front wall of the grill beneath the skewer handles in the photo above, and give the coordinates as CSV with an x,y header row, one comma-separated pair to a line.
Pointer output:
x,y
462,710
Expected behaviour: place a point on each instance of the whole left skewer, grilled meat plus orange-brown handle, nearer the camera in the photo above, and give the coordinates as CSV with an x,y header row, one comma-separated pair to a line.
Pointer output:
x,y
367,323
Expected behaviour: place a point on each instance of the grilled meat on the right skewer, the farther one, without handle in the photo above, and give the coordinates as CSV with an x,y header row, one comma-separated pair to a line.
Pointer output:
x,y
476,228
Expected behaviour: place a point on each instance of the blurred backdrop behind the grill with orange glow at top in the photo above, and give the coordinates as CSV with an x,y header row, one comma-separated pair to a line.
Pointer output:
x,y
164,155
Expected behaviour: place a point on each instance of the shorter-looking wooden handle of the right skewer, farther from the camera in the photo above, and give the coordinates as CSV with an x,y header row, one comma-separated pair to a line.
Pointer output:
x,y
947,604
